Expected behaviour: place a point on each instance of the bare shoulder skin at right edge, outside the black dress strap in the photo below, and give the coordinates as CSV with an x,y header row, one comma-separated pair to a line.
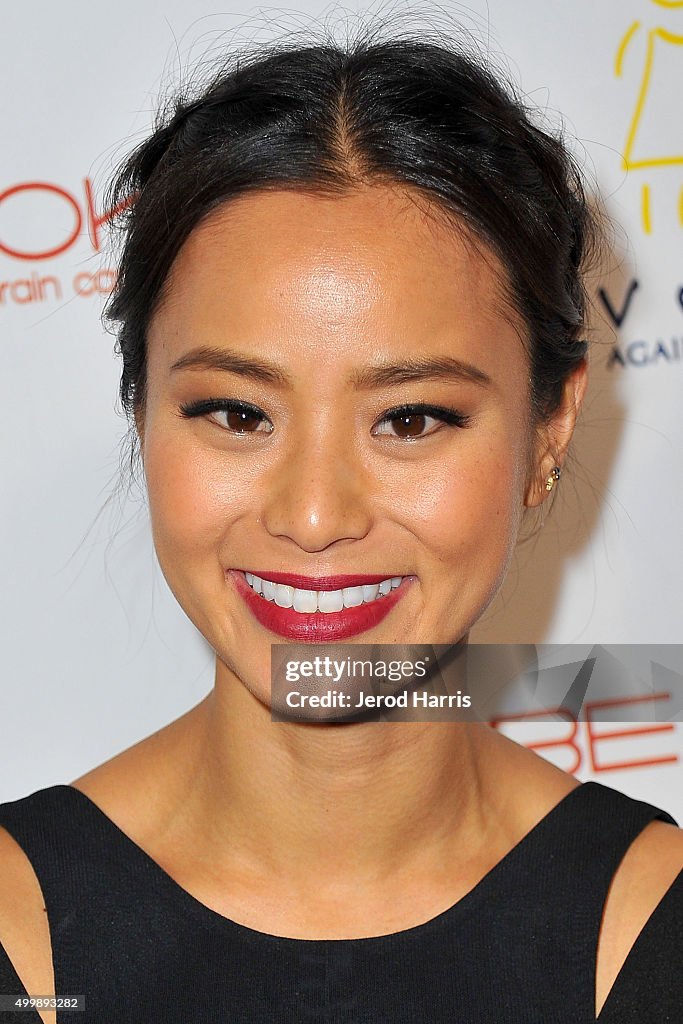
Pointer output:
x,y
648,871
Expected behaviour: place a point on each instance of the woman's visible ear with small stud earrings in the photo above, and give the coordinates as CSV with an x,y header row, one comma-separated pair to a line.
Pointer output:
x,y
553,438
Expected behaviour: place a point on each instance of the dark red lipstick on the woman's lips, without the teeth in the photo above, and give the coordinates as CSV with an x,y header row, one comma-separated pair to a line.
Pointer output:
x,y
319,627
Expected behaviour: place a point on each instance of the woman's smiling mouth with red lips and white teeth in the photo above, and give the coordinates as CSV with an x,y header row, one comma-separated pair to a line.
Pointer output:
x,y
317,610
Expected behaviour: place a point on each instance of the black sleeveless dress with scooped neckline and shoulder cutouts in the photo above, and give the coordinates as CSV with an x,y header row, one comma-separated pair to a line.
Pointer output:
x,y
519,949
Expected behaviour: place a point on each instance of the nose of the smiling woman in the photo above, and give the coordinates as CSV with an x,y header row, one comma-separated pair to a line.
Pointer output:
x,y
318,496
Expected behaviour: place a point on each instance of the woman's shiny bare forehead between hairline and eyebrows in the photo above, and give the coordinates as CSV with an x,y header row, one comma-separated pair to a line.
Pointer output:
x,y
371,255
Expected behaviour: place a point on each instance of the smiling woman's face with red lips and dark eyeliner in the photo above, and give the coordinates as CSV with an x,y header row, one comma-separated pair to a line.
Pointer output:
x,y
314,321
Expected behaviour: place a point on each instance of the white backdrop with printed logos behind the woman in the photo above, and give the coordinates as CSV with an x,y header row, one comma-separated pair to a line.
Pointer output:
x,y
96,653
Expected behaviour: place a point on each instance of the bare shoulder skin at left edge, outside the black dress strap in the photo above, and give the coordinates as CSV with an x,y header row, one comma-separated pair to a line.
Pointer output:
x,y
24,927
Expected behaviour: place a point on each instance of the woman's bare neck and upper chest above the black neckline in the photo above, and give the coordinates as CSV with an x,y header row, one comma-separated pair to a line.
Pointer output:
x,y
324,831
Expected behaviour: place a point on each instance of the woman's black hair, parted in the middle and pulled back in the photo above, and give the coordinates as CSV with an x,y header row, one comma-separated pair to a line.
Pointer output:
x,y
430,117
